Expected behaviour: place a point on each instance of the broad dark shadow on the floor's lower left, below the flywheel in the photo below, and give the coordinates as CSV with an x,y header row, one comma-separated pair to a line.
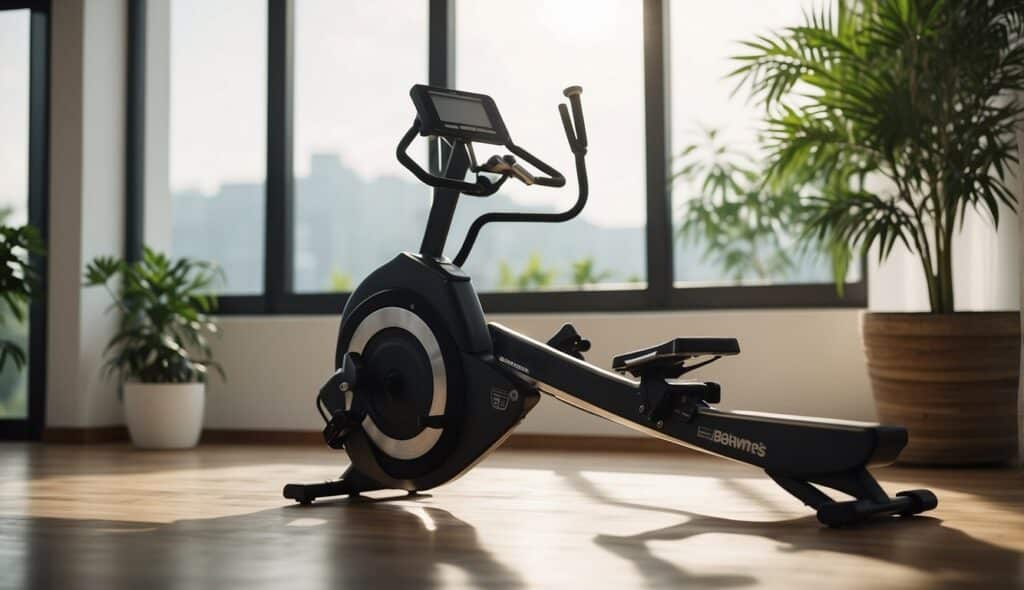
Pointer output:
x,y
364,544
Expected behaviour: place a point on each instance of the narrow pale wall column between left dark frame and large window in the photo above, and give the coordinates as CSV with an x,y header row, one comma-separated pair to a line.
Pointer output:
x,y
87,204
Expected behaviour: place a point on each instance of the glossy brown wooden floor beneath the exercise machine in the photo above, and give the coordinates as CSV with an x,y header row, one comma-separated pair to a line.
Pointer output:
x,y
113,518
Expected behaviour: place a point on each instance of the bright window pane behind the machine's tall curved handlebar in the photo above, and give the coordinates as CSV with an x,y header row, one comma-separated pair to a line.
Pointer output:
x,y
524,60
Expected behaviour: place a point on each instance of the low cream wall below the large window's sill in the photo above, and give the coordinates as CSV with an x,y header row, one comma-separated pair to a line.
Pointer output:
x,y
806,362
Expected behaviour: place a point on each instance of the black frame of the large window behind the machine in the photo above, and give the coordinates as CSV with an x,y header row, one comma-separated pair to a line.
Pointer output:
x,y
279,299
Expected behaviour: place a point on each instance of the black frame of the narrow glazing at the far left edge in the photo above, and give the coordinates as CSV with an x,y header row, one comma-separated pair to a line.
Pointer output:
x,y
31,428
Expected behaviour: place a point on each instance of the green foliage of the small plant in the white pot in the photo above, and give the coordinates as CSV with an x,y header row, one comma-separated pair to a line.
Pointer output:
x,y
166,309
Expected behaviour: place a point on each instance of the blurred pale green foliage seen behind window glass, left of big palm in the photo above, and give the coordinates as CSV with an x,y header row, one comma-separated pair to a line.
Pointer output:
x,y
743,224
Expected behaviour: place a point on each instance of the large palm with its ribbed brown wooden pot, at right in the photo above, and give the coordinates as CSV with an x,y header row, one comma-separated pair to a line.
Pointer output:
x,y
904,112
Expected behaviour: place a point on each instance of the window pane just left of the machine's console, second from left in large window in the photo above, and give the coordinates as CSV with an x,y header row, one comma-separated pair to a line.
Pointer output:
x,y
355,205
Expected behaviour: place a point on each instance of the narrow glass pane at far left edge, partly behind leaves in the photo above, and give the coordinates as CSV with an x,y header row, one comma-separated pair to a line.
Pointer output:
x,y
15,56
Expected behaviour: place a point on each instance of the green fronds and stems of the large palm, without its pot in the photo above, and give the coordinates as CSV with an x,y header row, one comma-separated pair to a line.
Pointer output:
x,y
904,111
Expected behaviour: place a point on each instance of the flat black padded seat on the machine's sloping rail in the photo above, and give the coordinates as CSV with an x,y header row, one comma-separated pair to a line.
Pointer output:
x,y
670,358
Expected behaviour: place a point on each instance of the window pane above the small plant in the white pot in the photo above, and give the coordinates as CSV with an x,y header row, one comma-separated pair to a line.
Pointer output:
x,y
219,137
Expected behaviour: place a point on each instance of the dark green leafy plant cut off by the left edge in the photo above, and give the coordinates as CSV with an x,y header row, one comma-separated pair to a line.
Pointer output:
x,y
19,284
